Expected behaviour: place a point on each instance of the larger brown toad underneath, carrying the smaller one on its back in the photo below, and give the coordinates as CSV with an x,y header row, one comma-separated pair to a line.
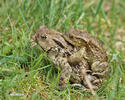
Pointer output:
x,y
62,54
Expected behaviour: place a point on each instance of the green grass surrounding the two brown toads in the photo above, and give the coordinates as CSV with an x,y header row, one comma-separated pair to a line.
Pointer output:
x,y
29,72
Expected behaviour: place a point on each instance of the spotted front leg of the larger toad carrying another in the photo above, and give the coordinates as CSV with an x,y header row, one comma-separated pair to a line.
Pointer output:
x,y
66,71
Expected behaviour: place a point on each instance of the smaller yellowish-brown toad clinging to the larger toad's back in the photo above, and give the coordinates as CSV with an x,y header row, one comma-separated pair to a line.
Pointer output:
x,y
88,48
